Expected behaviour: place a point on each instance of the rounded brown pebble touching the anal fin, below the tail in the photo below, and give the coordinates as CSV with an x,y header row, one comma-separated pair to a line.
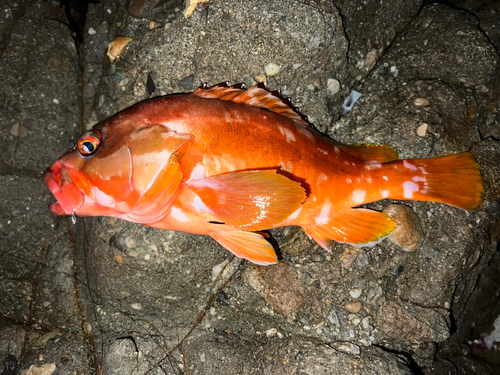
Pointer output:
x,y
408,233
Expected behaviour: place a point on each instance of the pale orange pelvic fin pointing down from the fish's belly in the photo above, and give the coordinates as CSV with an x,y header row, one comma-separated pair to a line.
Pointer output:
x,y
247,245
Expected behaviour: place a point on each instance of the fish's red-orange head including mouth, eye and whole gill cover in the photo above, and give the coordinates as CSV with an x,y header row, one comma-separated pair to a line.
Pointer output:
x,y
123,168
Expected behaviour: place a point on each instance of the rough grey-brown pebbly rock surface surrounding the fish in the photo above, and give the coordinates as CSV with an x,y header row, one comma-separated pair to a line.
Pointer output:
x,y
109,297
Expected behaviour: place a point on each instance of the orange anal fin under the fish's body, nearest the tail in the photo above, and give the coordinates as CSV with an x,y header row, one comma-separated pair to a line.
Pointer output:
x,y
358,226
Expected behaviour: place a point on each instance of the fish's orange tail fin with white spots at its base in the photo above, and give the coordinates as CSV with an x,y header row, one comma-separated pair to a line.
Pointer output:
x,y
455,180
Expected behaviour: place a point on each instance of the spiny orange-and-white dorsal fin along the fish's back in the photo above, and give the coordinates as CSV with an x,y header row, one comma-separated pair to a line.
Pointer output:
x,y
257,96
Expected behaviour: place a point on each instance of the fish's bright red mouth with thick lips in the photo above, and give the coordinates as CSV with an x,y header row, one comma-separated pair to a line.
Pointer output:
x,y
69,197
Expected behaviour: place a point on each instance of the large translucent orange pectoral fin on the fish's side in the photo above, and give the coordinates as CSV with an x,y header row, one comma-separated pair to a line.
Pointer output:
x,y
250,200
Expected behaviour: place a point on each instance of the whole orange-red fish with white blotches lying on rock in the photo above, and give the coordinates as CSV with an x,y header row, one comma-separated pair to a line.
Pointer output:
x,y
231,163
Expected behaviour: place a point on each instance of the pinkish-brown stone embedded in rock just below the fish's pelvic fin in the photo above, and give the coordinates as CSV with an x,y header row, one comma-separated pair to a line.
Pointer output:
x,y
279,285
